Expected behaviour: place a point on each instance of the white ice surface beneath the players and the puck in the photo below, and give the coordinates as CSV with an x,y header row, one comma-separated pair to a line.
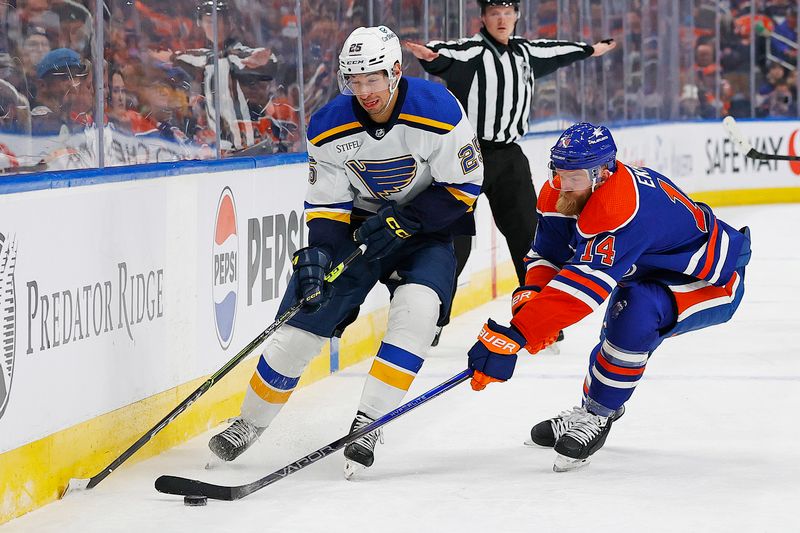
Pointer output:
x,y
709,441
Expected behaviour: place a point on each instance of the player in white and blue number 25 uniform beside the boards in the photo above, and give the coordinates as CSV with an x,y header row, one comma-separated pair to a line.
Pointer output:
x,y
394,164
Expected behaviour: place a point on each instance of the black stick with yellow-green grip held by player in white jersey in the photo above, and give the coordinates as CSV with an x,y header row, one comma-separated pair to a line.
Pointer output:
x,y
81,484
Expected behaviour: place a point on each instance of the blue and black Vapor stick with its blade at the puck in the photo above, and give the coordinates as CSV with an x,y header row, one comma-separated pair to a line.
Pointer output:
x,y
190,487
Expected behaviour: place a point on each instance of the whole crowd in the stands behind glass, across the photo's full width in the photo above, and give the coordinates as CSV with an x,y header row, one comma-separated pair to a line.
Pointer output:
x,y
174,89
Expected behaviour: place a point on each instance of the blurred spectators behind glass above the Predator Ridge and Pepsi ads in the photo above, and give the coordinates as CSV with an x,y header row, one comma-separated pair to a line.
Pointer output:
x,y
162,65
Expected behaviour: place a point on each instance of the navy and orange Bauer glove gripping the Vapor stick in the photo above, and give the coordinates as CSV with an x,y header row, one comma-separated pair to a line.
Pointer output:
x,y
494,356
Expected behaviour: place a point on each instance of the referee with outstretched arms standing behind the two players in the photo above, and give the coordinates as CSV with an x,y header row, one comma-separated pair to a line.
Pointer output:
x,y
493,74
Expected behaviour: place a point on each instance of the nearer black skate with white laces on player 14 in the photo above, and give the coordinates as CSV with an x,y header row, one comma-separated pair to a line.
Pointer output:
x,y
587,434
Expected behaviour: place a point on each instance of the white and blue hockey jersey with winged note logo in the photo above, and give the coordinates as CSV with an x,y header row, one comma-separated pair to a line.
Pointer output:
x,y
425,157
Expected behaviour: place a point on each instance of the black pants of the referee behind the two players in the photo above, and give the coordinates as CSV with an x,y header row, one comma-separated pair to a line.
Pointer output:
x,y
508,186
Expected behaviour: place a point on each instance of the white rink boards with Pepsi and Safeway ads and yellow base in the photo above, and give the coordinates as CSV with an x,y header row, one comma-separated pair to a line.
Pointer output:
x,y
117,298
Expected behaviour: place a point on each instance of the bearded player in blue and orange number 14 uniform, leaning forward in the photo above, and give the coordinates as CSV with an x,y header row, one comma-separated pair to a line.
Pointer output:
x,y
610,231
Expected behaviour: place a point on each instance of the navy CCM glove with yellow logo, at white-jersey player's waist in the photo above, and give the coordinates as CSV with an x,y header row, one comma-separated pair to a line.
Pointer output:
x,y
386,231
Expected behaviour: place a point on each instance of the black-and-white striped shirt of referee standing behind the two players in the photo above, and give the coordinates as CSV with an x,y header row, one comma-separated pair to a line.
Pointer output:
x,y
494,82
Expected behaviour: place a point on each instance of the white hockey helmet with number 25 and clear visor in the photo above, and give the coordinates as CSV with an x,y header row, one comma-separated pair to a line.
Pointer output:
x,y
369,50
